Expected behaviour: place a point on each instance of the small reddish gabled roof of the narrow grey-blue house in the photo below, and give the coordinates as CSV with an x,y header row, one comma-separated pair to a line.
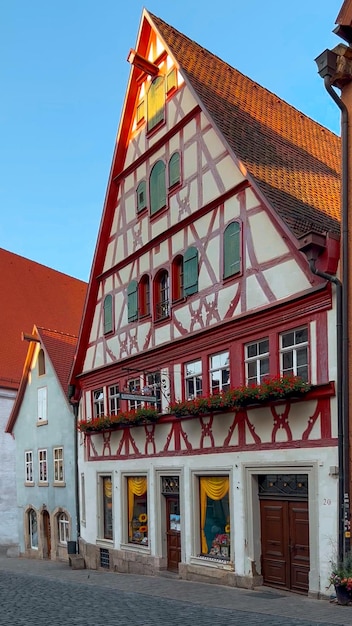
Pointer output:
x,y
60,349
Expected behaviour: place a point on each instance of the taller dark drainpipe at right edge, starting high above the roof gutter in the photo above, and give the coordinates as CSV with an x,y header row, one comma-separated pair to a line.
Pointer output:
x,y
345,307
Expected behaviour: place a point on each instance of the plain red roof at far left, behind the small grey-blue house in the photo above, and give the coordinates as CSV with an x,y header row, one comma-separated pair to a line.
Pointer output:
x,y
33,293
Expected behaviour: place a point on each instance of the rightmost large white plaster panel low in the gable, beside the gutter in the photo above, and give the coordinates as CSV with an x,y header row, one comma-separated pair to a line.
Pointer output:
x,y
280,285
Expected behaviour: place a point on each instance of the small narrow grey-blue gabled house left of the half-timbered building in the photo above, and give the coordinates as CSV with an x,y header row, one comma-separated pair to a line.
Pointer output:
x,y
42,423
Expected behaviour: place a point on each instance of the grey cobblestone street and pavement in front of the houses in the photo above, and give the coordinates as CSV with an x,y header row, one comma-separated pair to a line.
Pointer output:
x,y
50,593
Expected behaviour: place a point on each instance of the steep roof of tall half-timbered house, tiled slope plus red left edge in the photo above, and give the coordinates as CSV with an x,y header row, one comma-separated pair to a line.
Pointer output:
x,y
292,161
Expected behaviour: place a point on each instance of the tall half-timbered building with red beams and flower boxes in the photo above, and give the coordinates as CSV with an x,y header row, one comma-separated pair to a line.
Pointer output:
x,y
207,357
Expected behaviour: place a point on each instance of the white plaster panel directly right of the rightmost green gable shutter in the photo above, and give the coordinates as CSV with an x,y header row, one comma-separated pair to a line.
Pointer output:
x,y
270,246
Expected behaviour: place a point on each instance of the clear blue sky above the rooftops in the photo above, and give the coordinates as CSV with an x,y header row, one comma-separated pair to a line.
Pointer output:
x,y
63,79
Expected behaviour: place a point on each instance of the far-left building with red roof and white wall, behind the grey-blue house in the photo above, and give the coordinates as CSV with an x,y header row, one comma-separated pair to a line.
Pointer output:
x,y
33,293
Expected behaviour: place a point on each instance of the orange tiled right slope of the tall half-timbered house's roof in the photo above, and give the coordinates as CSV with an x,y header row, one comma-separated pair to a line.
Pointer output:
x,y
294,161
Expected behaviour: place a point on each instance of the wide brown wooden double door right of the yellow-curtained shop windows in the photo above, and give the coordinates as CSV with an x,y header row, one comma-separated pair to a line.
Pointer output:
x,y
285,544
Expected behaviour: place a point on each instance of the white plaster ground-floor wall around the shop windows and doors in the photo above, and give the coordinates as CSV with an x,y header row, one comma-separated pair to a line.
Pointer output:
x,y
323,500
